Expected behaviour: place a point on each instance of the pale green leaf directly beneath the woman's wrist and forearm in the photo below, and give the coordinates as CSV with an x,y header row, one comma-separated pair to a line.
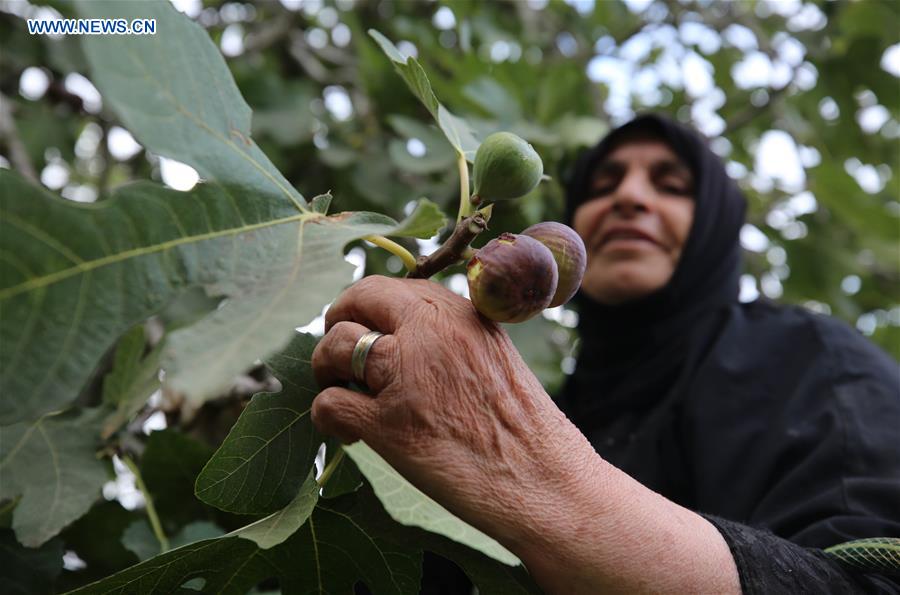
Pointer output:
x,y
409,506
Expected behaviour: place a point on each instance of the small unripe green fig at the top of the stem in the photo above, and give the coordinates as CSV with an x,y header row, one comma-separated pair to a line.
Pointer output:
x,y
506,166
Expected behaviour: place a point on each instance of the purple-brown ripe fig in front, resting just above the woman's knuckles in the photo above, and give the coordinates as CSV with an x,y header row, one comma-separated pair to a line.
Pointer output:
x,y
512,278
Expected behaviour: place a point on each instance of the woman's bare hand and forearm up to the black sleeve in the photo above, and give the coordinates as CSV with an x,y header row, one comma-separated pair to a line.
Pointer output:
x,y
455,410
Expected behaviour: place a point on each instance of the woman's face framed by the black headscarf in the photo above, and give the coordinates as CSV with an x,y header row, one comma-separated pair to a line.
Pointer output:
x,y
635,221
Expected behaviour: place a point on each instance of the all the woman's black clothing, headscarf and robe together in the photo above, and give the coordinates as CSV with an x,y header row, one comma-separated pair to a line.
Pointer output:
x,y
771,417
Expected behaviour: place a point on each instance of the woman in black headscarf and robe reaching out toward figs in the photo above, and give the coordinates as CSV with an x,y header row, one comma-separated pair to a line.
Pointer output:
x,y
701,445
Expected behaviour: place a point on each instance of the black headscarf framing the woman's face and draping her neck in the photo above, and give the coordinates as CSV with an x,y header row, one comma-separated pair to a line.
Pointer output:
x,y
634,354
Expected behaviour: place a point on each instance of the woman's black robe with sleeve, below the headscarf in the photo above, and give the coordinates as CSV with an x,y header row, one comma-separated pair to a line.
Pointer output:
x,y
788,426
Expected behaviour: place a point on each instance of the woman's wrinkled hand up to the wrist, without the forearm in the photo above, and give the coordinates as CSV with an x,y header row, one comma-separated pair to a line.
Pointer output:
x,y
452,406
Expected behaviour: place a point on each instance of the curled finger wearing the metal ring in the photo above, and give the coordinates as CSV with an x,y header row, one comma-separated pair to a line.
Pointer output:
x,y
332,358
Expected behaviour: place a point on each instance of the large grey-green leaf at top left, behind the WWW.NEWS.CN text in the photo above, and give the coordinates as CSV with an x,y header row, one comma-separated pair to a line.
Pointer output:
x,y
174,92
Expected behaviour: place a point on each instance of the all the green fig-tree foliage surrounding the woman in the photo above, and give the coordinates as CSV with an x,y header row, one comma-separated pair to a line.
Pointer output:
x,y
202,284
